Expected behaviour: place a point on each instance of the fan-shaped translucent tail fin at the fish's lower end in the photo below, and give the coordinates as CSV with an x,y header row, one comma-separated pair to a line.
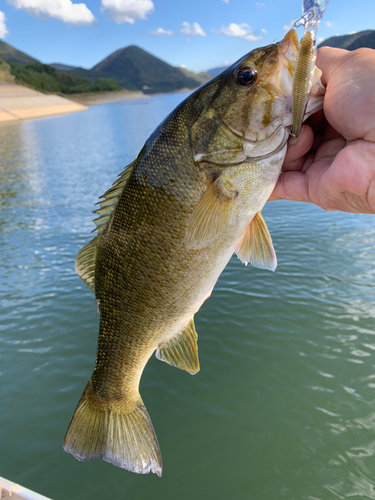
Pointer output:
x,y
125,439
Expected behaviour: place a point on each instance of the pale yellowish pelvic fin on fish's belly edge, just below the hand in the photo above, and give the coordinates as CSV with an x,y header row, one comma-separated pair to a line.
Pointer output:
x,y
255,246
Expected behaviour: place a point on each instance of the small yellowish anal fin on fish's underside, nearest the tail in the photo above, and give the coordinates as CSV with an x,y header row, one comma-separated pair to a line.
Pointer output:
x,y
182,350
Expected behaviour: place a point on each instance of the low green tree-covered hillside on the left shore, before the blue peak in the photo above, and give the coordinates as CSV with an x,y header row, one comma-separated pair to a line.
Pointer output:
x,y
45,78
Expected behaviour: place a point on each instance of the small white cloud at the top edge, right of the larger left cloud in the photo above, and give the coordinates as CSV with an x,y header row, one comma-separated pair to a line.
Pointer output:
x,y
127,11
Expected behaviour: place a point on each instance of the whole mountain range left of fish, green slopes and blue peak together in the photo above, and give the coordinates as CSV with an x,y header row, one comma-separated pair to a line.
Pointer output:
x,y
131,68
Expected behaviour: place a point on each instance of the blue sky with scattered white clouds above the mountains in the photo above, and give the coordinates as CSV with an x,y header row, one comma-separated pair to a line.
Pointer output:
x,y
199,34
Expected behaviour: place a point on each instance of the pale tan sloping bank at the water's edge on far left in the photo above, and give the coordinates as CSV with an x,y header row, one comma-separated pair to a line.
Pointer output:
x,y
21,103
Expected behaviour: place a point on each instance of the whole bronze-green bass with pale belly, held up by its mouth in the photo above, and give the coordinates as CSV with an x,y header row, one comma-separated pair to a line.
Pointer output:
x,y
166,230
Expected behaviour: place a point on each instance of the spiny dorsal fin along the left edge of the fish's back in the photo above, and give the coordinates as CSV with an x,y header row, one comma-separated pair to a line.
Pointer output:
x,y
86,258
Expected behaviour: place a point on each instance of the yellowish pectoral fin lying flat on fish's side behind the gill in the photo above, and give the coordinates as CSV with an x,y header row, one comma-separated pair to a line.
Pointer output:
x,y
210,217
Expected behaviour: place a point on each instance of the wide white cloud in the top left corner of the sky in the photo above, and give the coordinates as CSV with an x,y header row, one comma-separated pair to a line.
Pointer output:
x,y
64,10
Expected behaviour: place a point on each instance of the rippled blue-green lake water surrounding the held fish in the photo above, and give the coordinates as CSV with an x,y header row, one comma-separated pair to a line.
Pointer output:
x,y
284,404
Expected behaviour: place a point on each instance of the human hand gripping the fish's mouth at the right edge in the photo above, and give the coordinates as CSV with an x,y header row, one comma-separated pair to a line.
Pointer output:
x,y
332,162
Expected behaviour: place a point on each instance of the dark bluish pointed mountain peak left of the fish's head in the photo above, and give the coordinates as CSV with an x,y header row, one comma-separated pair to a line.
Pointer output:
x,y
135,69
